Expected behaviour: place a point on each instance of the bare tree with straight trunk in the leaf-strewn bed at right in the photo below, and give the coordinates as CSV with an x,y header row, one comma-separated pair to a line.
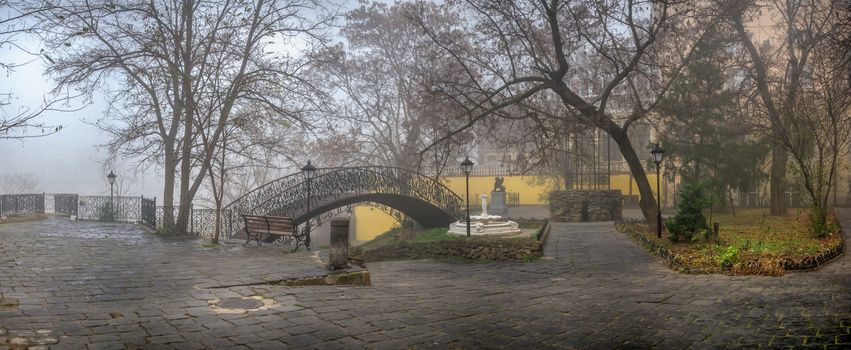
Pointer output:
x,y
779,66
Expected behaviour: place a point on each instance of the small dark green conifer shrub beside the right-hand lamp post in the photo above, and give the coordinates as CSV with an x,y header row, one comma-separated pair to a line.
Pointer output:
x,y
689,220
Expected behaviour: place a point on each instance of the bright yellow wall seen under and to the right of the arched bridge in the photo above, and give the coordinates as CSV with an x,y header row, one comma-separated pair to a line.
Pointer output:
x,y
371,222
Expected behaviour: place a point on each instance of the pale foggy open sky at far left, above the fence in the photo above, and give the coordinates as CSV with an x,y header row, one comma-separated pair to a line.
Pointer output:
x,y
69,161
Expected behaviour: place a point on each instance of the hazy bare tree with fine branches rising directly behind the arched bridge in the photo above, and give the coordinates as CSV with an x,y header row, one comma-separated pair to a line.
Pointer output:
x,y
386,76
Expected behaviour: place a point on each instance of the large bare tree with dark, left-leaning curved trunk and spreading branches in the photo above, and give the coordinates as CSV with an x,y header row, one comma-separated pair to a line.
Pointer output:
x,y
632,49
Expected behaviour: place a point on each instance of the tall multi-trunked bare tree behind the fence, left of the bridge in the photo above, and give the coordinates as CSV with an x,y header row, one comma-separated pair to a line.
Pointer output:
x,y
169,65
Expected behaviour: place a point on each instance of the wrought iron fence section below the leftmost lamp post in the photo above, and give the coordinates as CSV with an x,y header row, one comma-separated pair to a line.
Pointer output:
x,y
106,208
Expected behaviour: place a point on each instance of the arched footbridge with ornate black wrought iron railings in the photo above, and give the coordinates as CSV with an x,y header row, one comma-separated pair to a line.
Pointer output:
x,y
422,198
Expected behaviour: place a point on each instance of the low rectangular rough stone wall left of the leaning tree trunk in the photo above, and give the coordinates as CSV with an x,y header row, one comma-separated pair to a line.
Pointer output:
x,y
586,205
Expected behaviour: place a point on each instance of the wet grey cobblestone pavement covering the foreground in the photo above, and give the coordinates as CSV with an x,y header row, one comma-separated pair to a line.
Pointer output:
x,y
75,285
